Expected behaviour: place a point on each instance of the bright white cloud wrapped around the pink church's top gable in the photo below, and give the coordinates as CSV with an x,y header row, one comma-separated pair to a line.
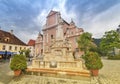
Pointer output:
x,y
60,6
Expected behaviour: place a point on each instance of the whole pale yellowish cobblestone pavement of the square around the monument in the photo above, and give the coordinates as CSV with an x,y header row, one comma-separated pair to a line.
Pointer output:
x,y
109,74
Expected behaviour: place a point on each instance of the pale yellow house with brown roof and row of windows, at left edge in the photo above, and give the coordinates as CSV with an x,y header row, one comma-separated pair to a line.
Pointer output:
x,y
10,43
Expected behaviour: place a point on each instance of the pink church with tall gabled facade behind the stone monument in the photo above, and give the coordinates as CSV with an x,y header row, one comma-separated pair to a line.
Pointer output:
x,y
50,30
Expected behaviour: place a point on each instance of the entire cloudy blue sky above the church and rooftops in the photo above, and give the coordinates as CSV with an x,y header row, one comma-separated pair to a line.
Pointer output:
x,y
26,17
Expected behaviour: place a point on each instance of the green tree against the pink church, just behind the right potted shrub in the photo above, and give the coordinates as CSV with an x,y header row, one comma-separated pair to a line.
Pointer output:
x,y
85,42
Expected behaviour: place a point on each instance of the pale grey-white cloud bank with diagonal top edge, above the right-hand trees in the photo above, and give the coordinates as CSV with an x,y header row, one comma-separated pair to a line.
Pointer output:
x,y
105,21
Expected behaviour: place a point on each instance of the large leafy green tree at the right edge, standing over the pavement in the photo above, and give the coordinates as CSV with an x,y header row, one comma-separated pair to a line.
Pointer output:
x,y
109,41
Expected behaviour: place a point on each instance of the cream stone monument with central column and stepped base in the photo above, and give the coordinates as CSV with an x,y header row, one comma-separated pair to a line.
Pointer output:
x,y
59,58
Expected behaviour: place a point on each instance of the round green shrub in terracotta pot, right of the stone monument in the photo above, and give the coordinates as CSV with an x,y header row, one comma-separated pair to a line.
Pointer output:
x,y
93,62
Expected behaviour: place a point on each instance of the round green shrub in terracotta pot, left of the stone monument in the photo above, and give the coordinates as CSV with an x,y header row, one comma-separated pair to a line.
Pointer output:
x,y
18,63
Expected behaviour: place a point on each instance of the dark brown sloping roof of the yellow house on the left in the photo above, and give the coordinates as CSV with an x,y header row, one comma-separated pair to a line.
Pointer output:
x,y
10,38
